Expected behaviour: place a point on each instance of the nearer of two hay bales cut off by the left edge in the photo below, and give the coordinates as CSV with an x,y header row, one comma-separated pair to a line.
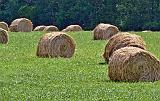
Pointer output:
x,y
3,36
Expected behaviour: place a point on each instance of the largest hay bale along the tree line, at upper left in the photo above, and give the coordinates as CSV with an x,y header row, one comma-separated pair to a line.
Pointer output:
x,y
21,25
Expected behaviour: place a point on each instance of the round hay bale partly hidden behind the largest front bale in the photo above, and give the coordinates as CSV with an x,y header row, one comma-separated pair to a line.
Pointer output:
x,y
121,40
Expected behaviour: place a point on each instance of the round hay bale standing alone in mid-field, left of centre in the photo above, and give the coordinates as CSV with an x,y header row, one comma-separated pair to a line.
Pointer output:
x,y
56,44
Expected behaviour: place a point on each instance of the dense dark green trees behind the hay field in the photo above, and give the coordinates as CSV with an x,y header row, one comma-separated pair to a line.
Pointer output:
x,y
126,14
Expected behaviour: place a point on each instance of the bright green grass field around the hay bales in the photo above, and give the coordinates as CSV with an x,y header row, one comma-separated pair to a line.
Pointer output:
x,y
84,77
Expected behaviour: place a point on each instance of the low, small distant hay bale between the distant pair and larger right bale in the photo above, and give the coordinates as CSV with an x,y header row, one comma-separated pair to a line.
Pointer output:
x,y
72,28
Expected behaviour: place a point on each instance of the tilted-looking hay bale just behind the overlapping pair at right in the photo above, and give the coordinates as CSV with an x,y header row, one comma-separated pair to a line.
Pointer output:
x,y
104,31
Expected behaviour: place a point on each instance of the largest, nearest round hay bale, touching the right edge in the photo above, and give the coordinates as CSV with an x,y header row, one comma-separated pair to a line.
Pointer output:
x,y
133,64
